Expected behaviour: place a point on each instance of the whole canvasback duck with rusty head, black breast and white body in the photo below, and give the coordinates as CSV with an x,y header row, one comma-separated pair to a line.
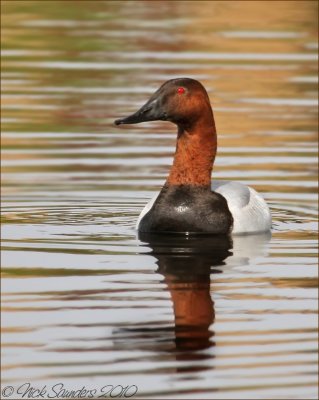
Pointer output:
x,y
189,201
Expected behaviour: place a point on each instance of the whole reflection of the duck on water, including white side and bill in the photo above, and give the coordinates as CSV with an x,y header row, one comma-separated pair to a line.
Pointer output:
x,y
187,265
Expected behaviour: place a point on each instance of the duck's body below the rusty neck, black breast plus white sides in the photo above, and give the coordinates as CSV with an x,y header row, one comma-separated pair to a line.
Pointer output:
x,y
237,209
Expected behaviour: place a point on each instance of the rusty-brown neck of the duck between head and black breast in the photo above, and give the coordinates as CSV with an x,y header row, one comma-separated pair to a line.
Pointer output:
x,y
195,153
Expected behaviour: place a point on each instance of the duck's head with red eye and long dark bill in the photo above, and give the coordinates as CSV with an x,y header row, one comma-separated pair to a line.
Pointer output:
x,y
181,101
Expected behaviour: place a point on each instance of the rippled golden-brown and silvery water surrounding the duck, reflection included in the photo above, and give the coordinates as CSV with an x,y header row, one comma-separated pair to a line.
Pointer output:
x,y
86,303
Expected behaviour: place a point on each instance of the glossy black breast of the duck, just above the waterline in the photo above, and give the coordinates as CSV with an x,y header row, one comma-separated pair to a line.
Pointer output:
x,y
185,208
